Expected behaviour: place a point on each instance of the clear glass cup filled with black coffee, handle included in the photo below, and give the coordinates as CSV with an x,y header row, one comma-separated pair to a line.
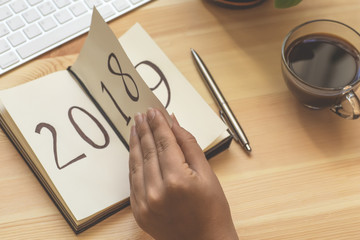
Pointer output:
x,y
320,65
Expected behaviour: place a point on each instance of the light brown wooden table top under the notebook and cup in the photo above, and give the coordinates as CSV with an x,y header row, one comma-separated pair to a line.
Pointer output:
x,y
302,180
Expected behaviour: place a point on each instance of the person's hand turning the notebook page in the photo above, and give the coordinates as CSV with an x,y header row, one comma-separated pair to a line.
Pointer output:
x,y
174,192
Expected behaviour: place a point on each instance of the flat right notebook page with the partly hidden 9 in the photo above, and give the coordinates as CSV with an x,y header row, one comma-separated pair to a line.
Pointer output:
x,y
192,112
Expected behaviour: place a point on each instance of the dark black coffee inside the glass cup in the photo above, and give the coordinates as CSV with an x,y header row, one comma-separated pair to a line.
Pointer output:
x,y
323,60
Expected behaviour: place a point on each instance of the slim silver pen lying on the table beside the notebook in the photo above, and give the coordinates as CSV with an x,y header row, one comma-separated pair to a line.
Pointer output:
x,y
225,112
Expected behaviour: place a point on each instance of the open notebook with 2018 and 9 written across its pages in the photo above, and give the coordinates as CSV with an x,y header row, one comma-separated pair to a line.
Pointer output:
x,y
72,127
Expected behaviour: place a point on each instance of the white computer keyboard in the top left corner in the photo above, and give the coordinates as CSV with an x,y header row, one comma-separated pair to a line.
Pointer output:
x,y
29,28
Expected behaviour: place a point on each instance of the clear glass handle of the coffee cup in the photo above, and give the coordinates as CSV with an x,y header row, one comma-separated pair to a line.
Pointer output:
x,y
349,106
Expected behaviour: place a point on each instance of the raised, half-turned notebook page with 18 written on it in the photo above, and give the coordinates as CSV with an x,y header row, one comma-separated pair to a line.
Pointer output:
x,y
106,73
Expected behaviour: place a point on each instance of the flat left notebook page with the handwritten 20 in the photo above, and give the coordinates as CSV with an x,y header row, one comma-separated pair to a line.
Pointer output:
x,y
92,183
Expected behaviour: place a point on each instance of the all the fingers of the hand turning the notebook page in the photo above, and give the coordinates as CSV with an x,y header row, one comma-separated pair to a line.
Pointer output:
x,y
158,153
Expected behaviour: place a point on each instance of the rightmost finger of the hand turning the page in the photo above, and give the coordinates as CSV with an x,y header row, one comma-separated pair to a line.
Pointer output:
x,y
194,155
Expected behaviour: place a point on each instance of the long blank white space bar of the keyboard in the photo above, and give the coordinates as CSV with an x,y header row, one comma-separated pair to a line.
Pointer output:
x,y
52,38
